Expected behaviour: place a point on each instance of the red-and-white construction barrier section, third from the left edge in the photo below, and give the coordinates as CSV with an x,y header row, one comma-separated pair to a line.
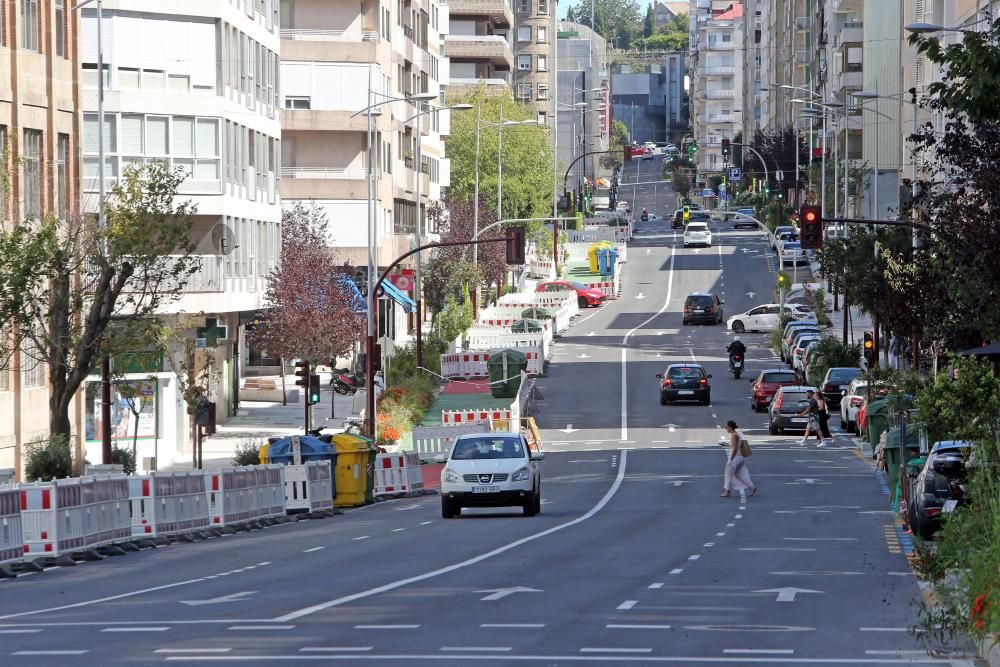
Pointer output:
x,y
168,503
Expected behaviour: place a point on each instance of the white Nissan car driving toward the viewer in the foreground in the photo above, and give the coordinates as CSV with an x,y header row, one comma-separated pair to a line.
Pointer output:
x,y
491,470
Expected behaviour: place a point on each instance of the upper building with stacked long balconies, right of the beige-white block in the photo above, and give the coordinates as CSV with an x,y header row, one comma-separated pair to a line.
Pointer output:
x,y
479,42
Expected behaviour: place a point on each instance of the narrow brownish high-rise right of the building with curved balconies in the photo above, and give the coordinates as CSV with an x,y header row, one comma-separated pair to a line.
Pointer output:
x,y
535,55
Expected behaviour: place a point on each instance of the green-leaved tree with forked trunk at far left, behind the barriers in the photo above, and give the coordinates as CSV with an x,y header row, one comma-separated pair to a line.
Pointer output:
x,y
63,282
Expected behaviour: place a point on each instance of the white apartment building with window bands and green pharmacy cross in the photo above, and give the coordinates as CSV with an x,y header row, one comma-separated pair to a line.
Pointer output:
x,y
194,83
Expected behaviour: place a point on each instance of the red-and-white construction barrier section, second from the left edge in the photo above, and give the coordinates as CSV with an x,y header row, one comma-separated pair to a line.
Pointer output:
x,y
71,515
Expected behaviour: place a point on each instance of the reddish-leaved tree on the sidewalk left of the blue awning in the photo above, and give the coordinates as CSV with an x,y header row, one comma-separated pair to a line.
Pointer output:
x,y
312,309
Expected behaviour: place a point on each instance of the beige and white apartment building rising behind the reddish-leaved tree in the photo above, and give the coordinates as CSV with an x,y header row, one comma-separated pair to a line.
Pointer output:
x,y
336,61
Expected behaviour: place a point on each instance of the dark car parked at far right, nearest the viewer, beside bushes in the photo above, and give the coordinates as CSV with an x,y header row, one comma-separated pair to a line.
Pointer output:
x,y
937,488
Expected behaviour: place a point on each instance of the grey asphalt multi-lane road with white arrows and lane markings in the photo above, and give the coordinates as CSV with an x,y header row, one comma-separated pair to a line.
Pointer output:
x,y
635,559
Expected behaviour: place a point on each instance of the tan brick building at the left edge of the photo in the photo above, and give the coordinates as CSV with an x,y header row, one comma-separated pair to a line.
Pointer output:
x,y
39,157
